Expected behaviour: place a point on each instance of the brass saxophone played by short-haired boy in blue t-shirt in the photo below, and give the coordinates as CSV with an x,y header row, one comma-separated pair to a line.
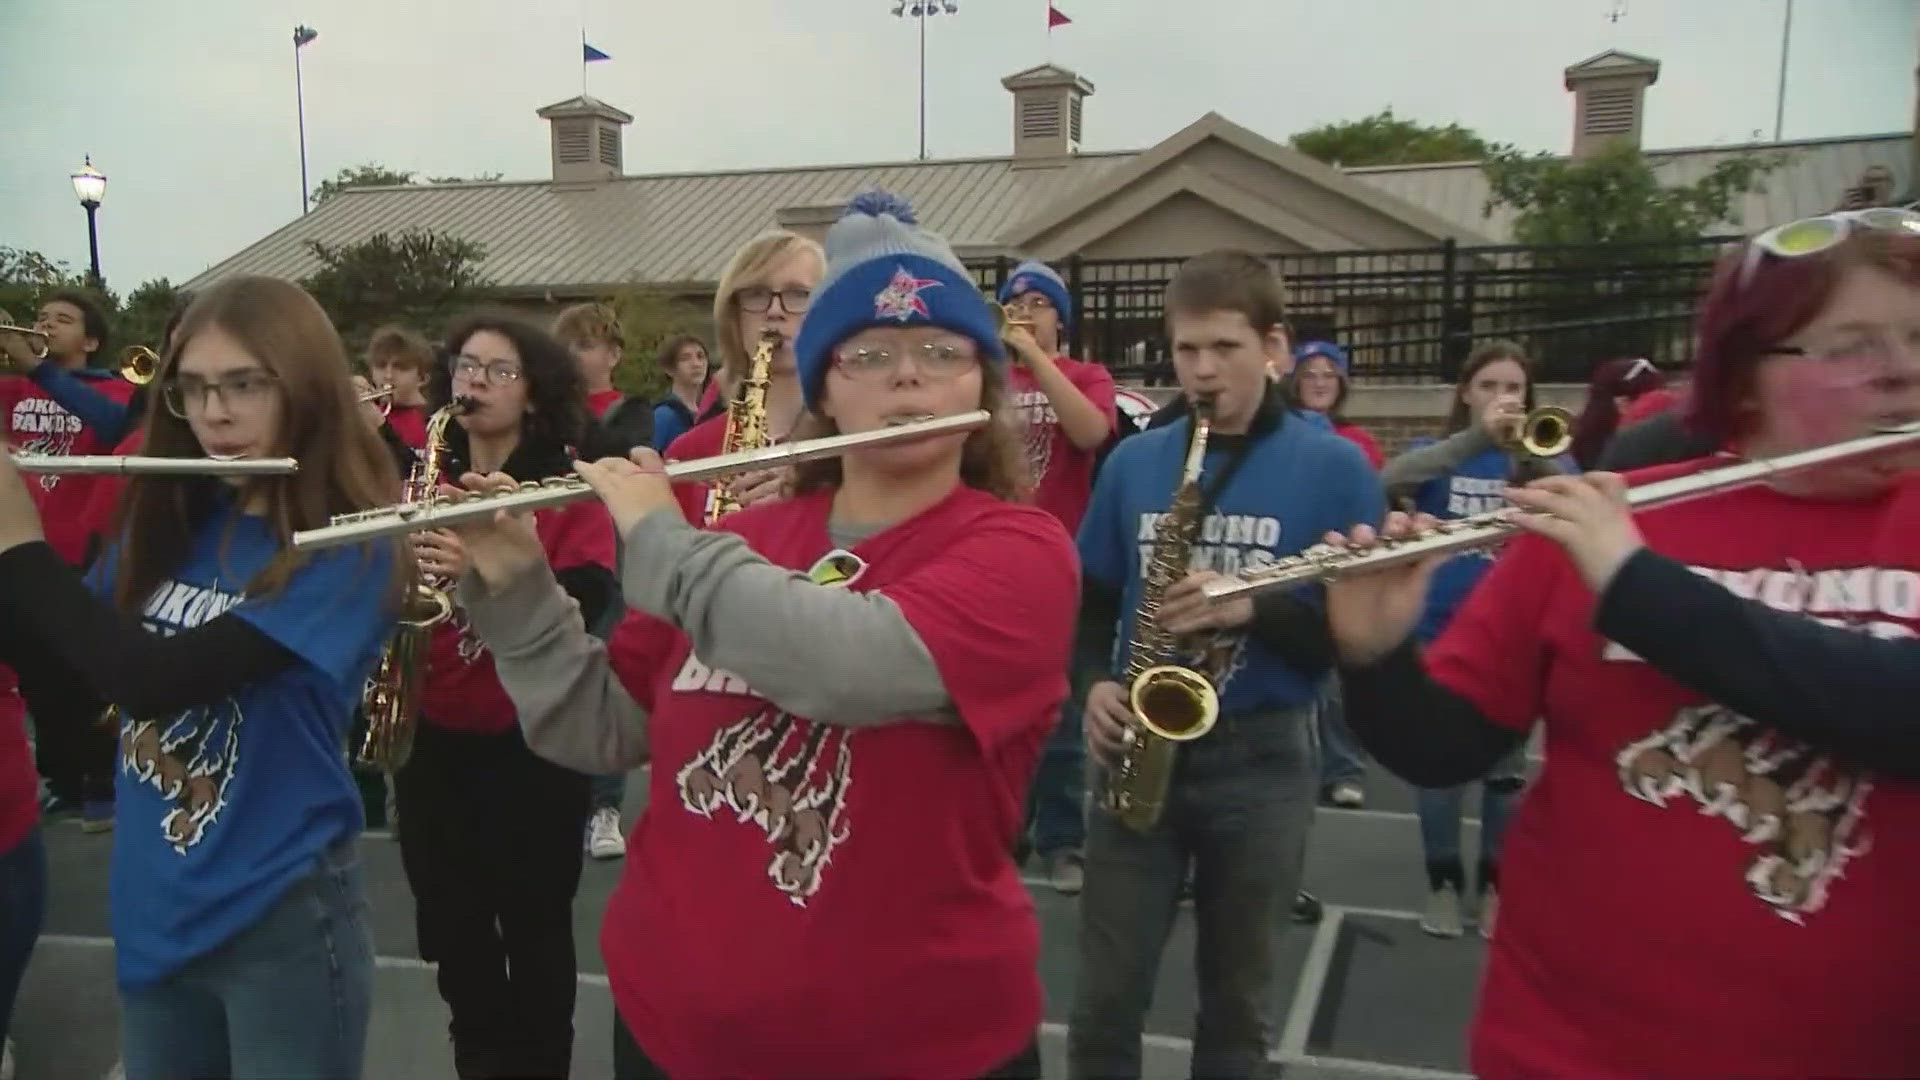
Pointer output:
x,y
1170,702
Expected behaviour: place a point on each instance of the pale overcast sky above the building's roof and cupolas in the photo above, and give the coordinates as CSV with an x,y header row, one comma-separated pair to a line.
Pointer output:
x,y
189,107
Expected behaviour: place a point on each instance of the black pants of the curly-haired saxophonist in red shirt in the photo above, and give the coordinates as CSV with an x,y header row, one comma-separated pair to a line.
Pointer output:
x,y
491,839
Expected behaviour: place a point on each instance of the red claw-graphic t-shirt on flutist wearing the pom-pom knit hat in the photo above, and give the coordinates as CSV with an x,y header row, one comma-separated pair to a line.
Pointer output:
x,y
811,900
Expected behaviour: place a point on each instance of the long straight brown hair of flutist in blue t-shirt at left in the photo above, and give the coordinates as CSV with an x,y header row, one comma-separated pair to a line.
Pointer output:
x,y
343,462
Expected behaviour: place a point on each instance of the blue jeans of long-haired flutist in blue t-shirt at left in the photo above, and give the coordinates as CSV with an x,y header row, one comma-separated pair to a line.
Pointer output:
x,y
285,998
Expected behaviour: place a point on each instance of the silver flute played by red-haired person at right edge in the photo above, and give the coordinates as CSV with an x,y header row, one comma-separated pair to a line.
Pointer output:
x,y
1324,564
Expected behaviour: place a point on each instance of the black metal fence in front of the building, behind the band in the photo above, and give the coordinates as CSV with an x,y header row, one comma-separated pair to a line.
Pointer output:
x,y
1414,316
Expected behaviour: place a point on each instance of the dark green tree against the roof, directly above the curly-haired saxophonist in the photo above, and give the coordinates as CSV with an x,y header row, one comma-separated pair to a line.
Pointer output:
x,y
418,278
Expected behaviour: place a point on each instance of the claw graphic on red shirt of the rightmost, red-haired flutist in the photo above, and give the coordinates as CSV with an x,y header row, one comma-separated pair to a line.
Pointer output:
x,y
1802,812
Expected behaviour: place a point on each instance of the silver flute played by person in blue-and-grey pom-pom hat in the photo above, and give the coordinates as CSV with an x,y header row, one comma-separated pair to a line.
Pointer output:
x,y
560,491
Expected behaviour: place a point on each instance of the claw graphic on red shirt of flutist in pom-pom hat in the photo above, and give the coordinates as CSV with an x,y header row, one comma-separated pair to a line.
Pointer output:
x,y
786,777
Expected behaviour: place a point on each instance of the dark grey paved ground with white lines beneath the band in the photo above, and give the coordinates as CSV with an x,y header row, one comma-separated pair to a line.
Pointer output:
x,y
1366,994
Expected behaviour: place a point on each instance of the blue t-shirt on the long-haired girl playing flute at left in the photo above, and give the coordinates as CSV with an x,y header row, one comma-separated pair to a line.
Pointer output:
x,y
226,806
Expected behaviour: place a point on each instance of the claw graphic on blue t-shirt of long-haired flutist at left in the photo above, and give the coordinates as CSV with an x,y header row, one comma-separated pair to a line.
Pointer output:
x,y
191,762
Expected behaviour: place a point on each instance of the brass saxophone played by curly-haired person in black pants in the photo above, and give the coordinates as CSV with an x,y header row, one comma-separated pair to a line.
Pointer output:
x,y
395,691
